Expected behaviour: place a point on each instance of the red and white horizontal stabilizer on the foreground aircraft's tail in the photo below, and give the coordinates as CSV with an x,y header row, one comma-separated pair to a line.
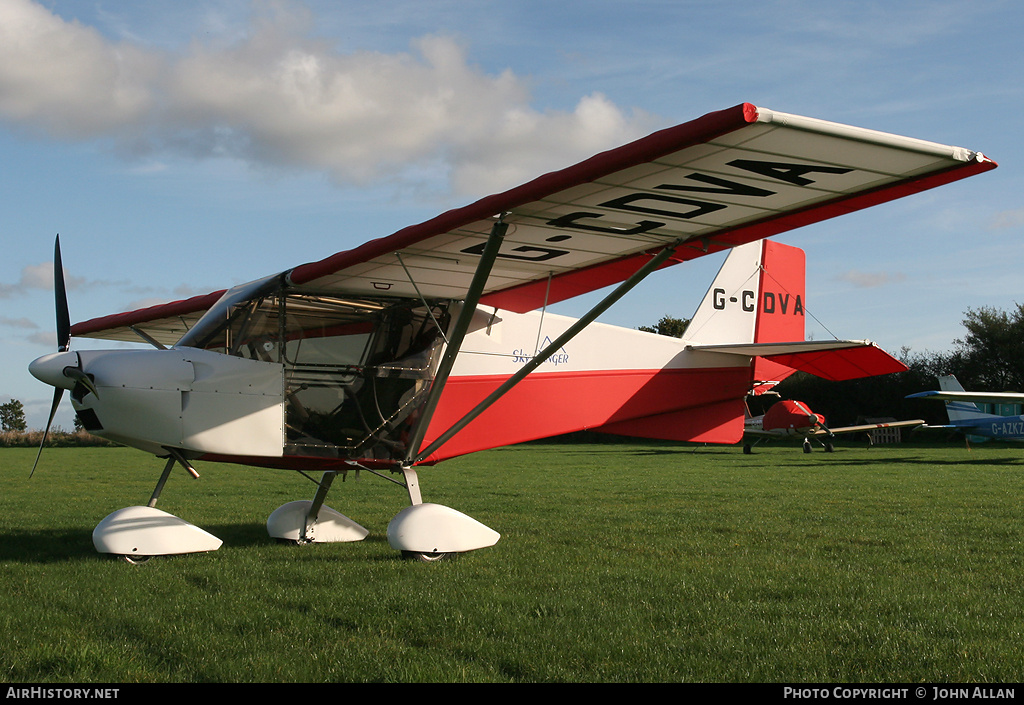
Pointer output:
x,y
832,360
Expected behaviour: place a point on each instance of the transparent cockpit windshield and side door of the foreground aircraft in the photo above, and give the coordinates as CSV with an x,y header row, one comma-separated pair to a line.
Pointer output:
x,y
356,367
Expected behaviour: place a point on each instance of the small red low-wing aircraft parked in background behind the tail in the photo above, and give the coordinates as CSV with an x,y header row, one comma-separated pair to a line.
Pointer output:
x,y
790,419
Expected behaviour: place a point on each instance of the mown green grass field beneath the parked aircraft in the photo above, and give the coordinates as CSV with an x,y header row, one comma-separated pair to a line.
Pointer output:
x,y
617,563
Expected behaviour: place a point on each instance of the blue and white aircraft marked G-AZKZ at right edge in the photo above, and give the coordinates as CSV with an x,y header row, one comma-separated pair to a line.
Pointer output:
x,y
965,416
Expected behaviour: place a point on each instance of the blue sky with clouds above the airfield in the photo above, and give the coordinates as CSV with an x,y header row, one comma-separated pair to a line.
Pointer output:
x,y
183,148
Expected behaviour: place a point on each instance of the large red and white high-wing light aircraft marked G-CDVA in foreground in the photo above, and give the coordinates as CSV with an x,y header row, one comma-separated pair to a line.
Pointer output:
x,y
436,342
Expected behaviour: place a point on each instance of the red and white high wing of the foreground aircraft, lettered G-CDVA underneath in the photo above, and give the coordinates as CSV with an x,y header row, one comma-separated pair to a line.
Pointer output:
x,y
727,179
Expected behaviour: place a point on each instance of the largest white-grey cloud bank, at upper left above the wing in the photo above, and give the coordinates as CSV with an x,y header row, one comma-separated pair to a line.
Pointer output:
x,y
278,98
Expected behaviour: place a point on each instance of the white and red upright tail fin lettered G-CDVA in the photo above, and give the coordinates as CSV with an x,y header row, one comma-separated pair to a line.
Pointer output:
x,y
758,297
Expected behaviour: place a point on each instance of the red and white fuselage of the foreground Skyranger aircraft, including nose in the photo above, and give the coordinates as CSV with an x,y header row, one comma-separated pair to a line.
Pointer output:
x,y
301,381
